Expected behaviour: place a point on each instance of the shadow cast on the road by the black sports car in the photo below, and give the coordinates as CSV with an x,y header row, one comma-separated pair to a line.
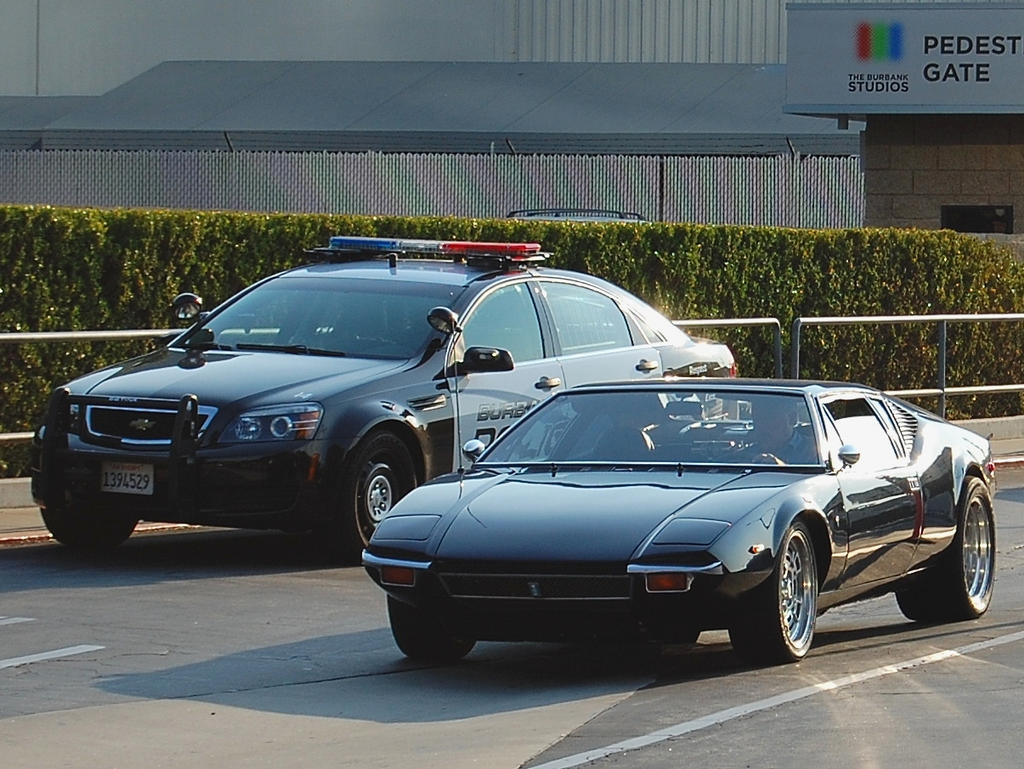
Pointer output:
x,y
363,676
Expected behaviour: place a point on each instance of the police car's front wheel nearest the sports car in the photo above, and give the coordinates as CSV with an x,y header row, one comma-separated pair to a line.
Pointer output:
x,y
379,474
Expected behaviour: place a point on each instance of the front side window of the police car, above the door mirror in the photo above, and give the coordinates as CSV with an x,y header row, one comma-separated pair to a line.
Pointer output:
x,y
506,319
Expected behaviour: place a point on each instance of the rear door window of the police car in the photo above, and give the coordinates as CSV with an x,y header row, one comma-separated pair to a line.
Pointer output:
x,y
586,321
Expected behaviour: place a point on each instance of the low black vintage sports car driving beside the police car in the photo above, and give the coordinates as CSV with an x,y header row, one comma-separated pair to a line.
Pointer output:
x,y
662,509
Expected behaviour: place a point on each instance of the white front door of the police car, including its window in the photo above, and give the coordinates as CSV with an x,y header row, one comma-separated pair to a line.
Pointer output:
x,y
489,403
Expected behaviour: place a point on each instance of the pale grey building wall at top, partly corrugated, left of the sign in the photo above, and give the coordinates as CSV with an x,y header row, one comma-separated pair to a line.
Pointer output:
x,y
67,48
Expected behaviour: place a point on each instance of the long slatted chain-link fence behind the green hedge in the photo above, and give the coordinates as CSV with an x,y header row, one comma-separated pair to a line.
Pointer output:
x,y
775,191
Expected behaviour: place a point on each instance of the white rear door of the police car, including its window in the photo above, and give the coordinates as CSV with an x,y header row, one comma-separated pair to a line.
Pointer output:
x,y
594,339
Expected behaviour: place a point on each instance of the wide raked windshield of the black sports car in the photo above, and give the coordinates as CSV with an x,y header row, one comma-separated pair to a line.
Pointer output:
x,y
673,426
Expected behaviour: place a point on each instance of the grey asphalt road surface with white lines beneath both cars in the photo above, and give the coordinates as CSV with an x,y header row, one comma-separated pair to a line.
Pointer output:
x,y
214,649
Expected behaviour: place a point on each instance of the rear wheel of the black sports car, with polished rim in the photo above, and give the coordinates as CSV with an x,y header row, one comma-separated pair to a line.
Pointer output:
x,y
960,586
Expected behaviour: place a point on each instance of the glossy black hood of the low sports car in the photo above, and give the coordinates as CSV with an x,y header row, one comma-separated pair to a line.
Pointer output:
x,y
589,517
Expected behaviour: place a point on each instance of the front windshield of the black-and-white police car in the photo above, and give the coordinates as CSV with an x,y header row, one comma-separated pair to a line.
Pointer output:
x,y
333,317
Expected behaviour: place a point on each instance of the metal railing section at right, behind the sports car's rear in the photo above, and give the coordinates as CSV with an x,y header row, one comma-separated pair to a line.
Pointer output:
x,y
942,390
